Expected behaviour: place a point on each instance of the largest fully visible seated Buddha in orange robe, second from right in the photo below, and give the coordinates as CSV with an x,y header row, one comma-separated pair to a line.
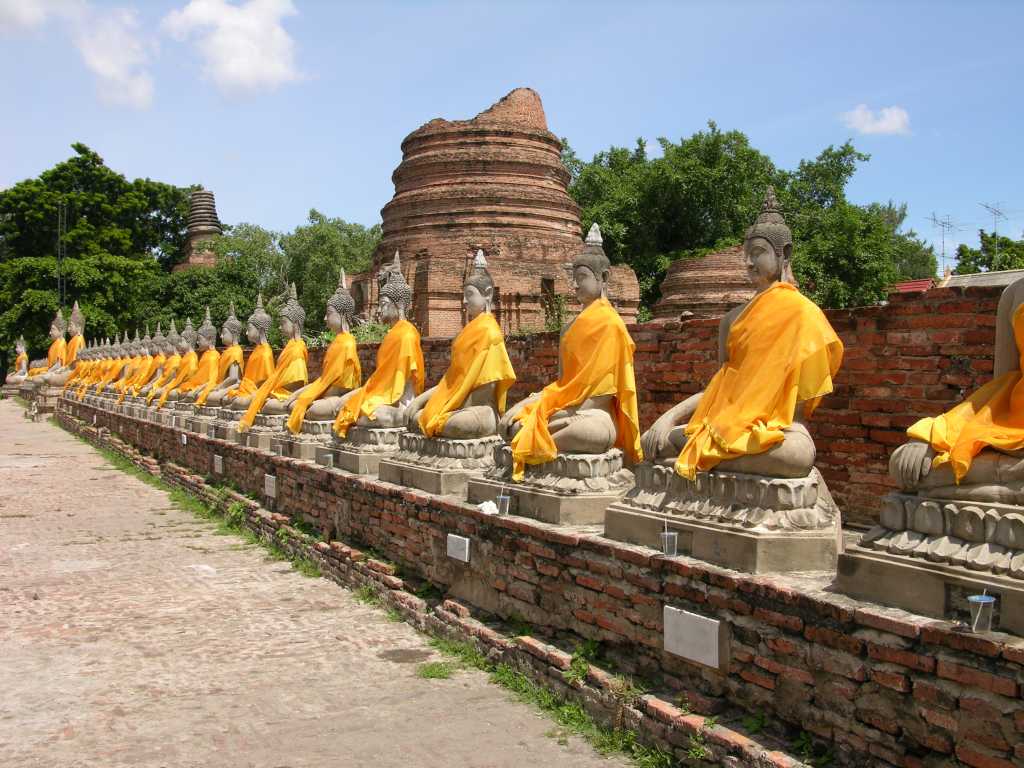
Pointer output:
x,y
779,356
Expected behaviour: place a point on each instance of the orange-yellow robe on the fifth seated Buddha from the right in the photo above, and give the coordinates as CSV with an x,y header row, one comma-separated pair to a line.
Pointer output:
x,y
400,359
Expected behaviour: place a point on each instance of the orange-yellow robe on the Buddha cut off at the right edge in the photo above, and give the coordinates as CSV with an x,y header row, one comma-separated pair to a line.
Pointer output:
x,y
992,417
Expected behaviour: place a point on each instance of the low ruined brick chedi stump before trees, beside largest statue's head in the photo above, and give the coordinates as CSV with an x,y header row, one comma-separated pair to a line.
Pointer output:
x,y
706,287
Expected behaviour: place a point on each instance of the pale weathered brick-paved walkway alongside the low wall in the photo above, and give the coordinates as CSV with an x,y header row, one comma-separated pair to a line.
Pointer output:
x,y
132,635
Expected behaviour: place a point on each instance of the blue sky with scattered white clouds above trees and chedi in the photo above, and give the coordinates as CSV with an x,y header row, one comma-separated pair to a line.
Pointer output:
x,y
280,107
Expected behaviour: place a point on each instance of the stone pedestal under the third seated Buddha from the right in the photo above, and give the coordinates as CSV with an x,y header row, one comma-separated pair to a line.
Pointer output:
x,y
574,490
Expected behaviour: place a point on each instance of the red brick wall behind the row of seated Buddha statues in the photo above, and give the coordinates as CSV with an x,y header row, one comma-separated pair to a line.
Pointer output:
x,y
916,357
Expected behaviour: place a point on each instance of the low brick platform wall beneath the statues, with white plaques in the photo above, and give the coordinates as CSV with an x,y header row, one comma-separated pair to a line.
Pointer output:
x,y
881,687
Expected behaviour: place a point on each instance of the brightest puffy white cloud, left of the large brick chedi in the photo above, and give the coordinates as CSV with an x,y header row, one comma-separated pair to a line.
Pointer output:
x,y
244,49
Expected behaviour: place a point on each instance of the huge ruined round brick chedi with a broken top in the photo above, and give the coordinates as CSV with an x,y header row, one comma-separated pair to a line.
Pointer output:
x,y
495,183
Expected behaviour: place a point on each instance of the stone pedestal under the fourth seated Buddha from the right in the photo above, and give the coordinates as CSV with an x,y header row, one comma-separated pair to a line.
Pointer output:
x,y
439,465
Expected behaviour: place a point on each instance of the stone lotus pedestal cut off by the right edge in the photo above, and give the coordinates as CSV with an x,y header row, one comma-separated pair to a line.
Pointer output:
x,y
929,554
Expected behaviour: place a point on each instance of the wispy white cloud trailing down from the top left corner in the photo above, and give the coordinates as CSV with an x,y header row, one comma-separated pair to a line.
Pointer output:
x,y
110,41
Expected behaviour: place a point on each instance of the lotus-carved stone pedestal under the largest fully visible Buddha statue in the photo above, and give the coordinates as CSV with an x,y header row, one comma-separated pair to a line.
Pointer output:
x,y
746,523
